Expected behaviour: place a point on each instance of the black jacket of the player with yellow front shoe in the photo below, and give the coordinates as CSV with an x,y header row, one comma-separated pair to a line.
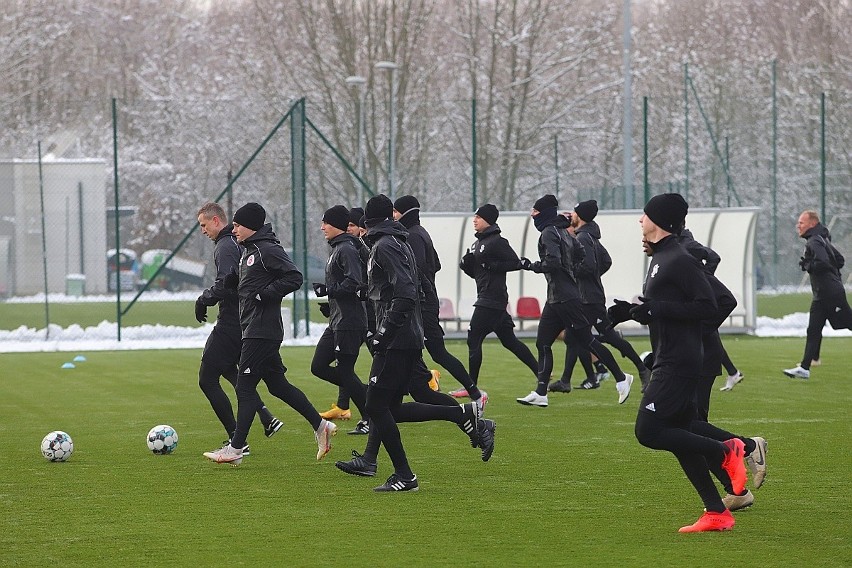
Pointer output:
x,y
344,274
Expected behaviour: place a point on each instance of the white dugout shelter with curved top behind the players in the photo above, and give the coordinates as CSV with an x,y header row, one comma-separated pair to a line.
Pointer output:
x,y
730,232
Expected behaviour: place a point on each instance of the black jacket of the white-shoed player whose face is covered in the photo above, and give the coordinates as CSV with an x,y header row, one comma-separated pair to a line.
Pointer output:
x,y
559,253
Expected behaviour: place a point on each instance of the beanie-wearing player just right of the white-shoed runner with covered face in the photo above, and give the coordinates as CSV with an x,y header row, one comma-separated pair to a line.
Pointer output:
x,y
596,261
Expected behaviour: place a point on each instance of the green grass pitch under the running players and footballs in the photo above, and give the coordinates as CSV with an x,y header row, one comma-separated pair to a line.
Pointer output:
x,y
567,486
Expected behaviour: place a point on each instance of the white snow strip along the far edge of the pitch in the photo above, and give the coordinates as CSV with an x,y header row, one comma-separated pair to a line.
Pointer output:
x,y
103,337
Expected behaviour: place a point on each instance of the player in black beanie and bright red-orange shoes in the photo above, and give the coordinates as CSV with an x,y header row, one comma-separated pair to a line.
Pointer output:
x,y
677,298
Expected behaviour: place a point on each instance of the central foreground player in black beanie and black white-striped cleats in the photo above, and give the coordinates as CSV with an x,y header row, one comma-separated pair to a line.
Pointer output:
x,y
397,346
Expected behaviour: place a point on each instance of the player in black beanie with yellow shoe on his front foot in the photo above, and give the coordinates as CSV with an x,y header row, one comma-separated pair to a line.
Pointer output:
x,y
345,283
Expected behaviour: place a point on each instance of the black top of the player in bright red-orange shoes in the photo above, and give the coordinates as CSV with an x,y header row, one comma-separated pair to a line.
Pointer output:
x,y
677,286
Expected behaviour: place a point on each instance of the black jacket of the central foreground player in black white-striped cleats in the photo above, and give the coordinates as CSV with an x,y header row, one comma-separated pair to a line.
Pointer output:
x,y
393,285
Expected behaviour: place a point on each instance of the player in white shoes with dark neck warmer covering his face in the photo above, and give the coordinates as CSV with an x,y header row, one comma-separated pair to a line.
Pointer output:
x,y
560,253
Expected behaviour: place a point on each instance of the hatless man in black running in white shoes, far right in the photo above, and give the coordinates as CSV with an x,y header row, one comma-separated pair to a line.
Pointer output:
x,y
822,262
